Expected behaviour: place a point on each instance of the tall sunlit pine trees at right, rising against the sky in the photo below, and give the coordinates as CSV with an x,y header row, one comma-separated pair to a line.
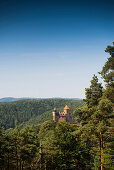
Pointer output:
x,y
96,116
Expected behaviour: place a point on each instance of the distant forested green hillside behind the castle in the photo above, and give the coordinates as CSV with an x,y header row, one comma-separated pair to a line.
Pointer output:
x,y
32,111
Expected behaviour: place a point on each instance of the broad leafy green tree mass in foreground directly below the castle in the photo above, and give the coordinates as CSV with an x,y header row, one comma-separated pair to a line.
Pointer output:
x,y
66,149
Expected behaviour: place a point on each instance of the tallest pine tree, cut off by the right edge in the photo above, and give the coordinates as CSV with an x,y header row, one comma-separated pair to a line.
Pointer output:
x,y
107,105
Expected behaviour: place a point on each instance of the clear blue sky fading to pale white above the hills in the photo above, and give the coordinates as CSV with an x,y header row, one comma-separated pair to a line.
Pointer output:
x,y
53,48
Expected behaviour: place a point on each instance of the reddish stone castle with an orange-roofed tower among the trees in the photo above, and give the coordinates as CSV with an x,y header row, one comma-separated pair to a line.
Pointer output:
x,y
62,116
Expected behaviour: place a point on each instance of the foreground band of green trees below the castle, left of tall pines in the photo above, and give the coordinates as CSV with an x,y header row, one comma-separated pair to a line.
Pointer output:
x,y
53,145
